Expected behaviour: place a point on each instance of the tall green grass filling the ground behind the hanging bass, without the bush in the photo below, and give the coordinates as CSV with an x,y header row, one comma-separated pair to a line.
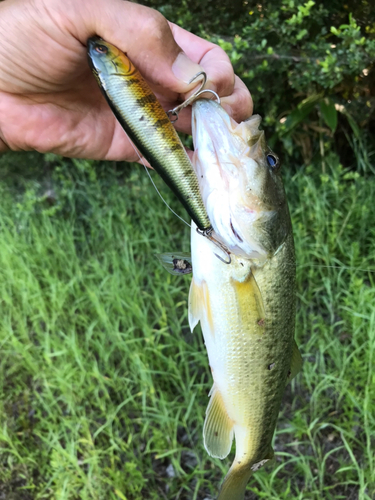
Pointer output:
x,y
104,388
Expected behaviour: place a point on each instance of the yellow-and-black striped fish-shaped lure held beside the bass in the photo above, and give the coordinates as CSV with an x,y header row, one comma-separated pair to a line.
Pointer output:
x,y
146,123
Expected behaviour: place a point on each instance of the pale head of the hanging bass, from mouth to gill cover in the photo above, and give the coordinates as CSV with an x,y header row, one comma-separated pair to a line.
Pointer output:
x,y
243,196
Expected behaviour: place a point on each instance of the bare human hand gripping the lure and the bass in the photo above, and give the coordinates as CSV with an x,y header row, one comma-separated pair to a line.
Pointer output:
x,y
49,100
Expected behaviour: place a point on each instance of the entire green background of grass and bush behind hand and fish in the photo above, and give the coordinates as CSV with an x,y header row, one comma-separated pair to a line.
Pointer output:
x,y
102,386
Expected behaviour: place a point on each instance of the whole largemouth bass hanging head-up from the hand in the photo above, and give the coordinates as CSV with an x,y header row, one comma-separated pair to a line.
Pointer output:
x,y
247,308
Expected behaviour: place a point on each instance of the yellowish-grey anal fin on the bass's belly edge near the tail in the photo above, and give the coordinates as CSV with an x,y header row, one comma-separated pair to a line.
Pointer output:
x,y
218,427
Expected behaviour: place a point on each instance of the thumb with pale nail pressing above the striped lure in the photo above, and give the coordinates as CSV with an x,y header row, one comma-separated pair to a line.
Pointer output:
x,y
144,34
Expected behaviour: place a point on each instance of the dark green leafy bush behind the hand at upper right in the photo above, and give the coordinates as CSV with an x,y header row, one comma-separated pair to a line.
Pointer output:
x,y
309,66
